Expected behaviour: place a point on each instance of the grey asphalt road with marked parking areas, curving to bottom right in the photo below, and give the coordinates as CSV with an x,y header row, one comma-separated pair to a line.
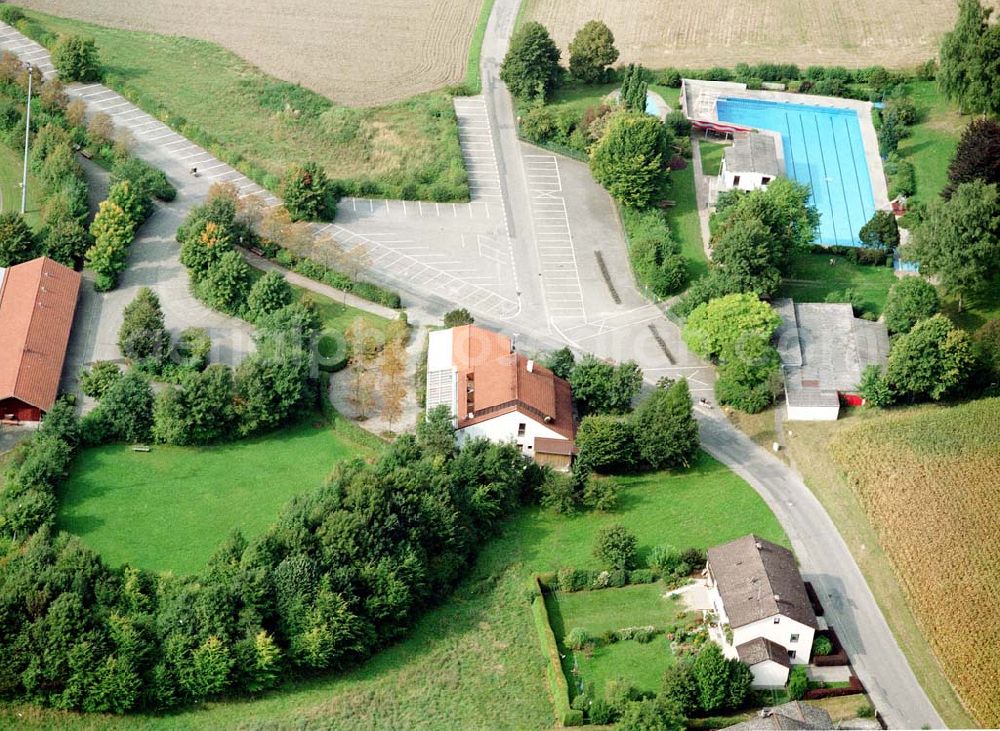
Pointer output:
x,y
562,277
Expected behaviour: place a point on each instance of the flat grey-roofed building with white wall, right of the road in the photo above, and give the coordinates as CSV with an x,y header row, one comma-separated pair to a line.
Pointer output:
x,y
824,348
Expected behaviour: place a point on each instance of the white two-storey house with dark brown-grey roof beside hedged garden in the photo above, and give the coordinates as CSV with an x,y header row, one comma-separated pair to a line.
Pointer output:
x,y
756,589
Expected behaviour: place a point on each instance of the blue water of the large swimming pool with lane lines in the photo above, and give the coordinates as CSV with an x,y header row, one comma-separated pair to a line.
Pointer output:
x,y
823,149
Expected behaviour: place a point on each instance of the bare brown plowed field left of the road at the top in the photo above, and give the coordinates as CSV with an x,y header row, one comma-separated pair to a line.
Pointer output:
x,y
364,52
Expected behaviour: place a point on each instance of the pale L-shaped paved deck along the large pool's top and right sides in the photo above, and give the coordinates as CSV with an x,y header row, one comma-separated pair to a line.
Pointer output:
x,y
698,101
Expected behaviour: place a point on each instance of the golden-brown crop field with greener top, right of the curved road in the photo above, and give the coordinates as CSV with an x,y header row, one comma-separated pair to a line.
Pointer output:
x,y
930,482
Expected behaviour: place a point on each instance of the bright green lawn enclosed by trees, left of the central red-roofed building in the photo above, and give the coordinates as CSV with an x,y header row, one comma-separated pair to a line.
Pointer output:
x,y
170,508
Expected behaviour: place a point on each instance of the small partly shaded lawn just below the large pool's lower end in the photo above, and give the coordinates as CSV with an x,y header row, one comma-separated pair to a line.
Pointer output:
x,y
812,278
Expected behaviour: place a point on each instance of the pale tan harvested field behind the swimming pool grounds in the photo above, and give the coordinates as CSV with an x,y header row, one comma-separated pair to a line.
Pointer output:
x,y
681,33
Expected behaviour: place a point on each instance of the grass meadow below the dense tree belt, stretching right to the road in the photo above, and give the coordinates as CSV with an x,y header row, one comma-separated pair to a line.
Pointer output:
x,y
474,662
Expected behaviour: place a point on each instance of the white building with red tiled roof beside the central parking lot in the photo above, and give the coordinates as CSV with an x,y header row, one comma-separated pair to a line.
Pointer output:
x,y
494,392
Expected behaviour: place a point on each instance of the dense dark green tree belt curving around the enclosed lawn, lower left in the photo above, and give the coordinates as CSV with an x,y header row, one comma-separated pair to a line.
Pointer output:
x,y
342,572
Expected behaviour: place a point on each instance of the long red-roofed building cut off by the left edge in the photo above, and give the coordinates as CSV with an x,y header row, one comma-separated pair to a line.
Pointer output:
x,y
37,302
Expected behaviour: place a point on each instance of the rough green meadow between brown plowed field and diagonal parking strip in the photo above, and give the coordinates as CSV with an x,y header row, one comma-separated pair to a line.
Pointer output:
x,y
406,150
